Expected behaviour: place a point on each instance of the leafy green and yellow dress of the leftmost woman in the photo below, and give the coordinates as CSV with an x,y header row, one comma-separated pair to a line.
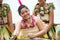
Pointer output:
x,y
3,21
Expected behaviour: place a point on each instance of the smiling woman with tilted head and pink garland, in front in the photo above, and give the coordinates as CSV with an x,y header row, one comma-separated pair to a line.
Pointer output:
x,y
30,26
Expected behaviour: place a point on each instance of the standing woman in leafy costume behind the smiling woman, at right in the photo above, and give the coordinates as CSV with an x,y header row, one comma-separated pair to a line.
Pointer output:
x,y
46,13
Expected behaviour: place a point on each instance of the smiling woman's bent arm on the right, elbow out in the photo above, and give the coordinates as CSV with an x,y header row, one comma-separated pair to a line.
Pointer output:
x,y
41,28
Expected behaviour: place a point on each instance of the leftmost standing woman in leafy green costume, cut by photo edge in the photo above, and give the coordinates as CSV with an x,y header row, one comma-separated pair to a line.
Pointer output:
x,y
5,21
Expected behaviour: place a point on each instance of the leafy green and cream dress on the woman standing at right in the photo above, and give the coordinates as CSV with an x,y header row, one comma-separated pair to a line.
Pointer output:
x,y
44,16
